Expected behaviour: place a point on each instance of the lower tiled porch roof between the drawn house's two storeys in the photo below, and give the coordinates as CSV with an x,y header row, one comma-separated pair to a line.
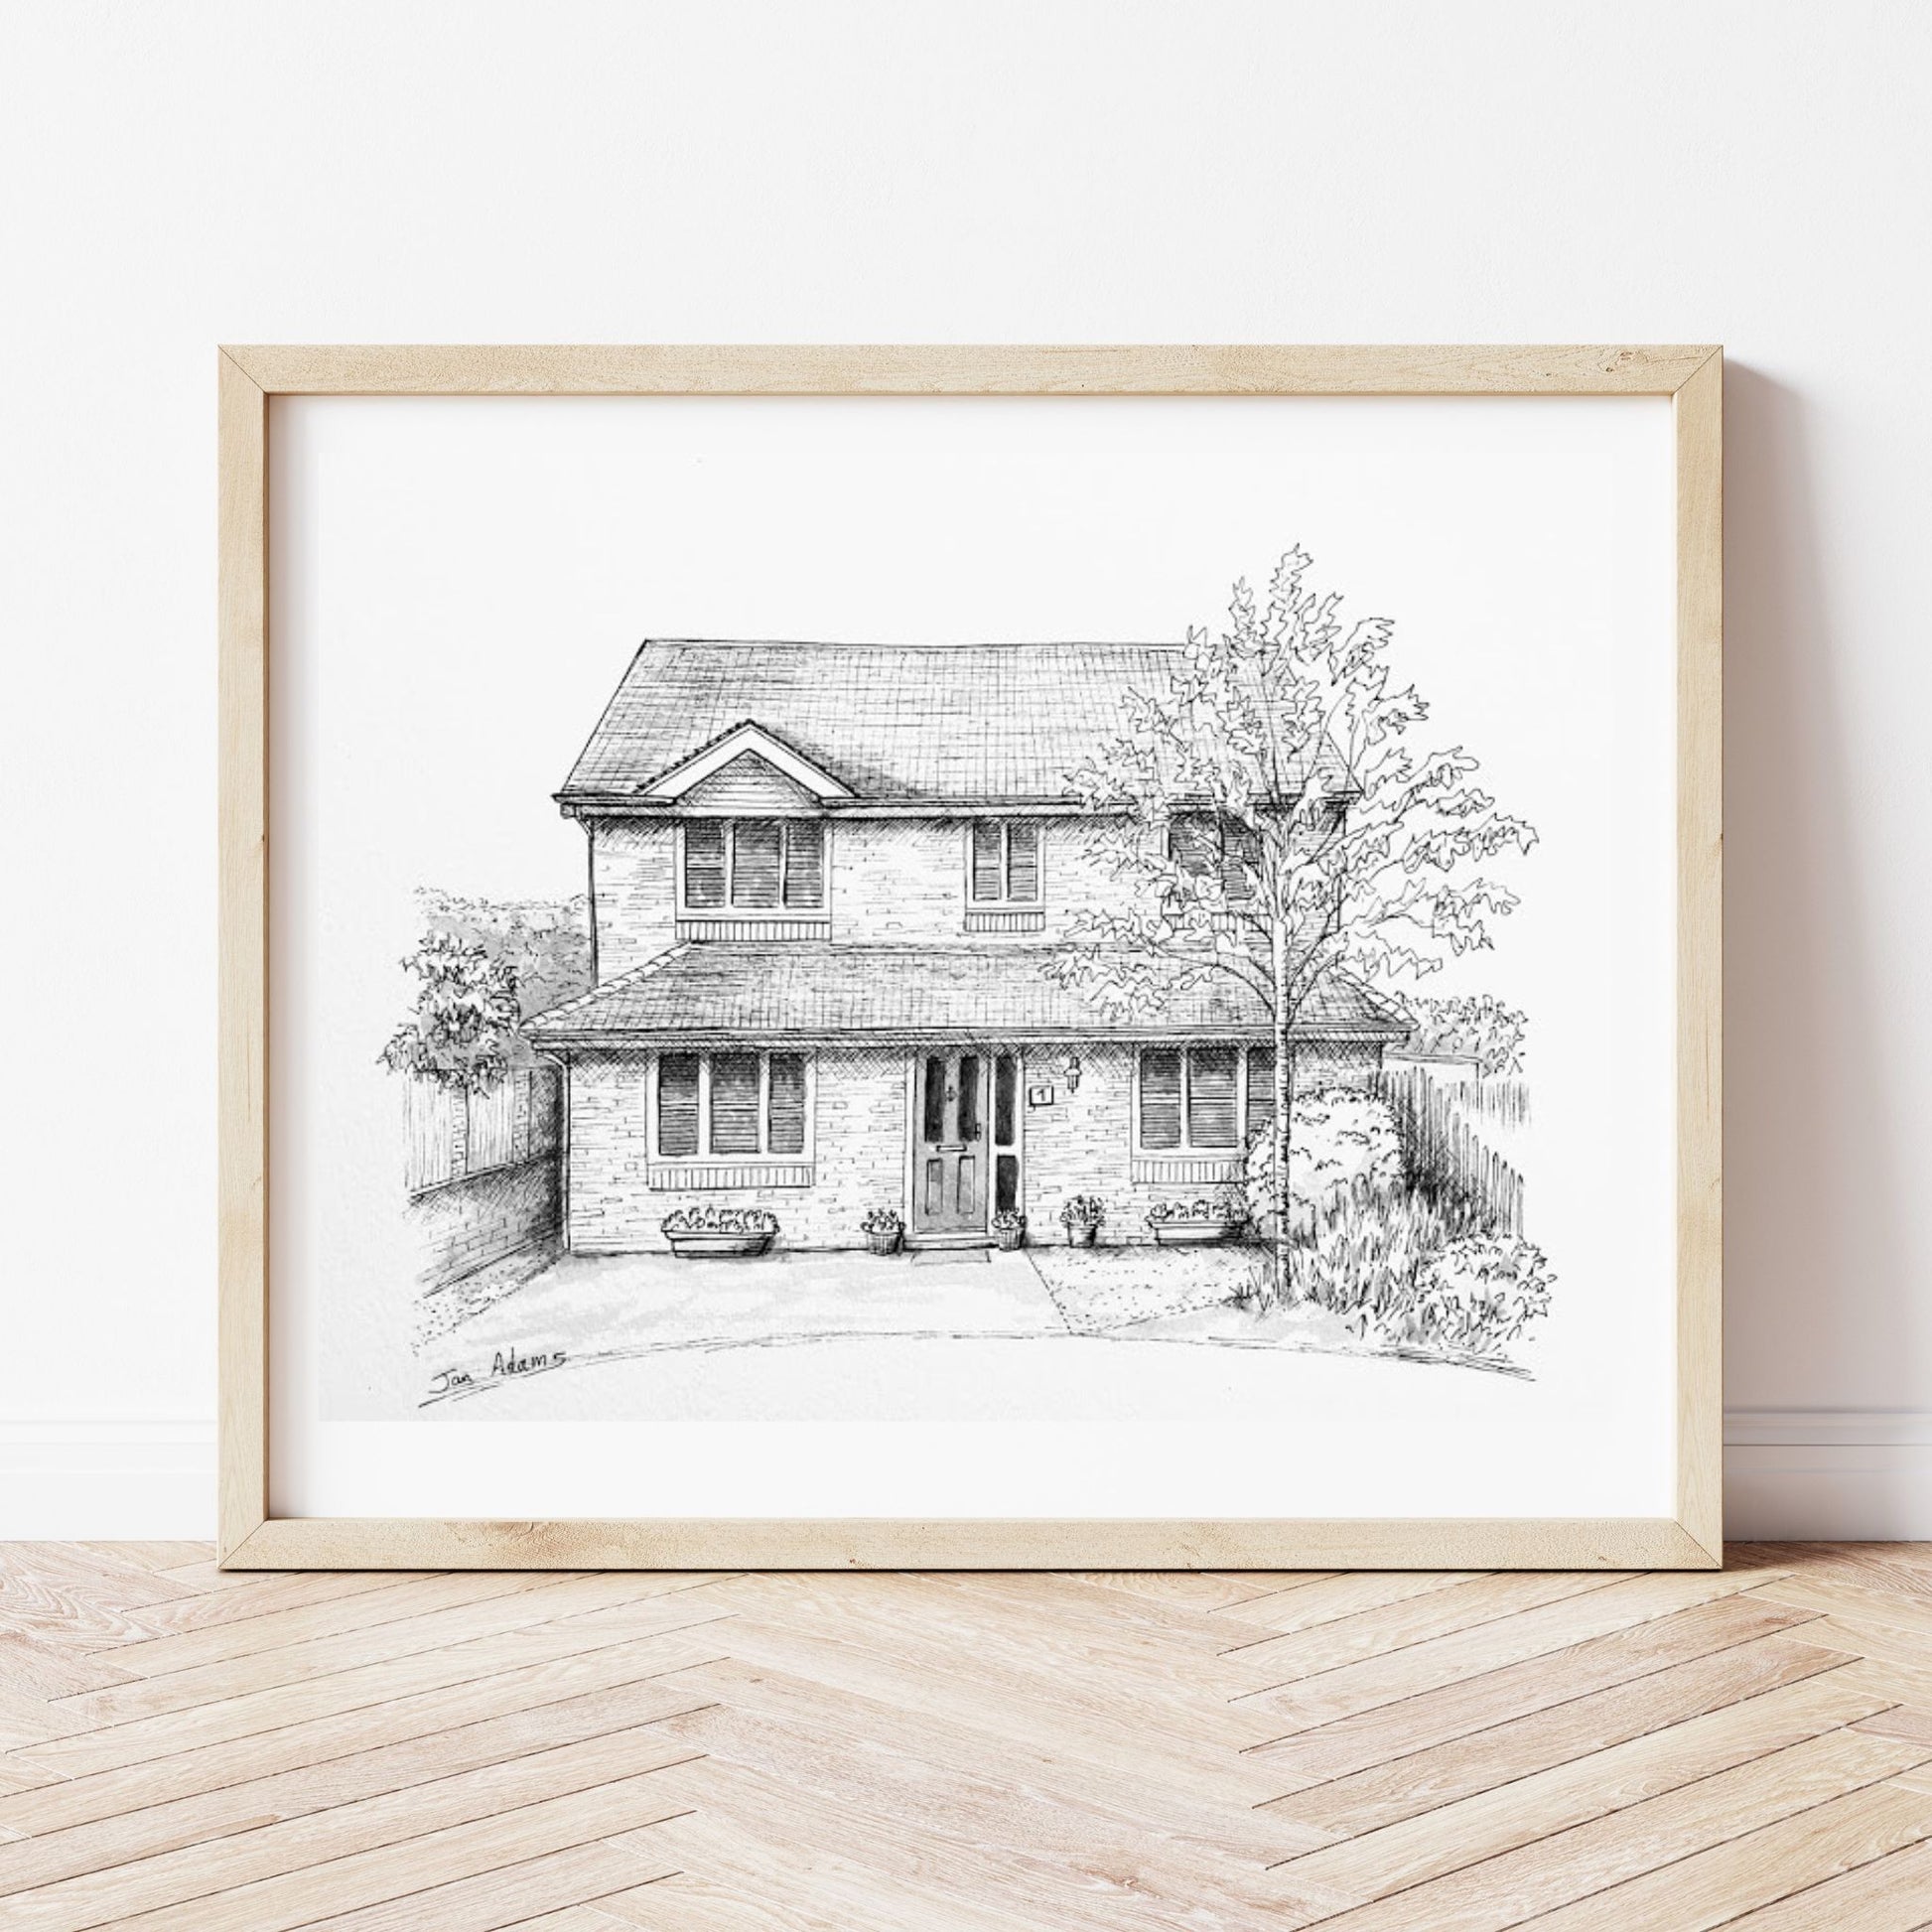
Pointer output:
x,y
814,990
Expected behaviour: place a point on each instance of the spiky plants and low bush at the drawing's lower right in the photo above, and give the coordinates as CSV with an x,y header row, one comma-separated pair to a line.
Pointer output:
x,y
1419,1274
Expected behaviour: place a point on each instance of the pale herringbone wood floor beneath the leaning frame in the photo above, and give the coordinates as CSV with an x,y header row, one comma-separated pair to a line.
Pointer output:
x,y
183,1749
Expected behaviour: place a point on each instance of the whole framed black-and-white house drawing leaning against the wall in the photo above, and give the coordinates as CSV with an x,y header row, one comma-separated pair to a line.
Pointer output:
x,y
971,957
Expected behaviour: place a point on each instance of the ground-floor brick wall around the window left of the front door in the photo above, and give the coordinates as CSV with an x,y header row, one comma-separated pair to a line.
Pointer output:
x,y
861,1156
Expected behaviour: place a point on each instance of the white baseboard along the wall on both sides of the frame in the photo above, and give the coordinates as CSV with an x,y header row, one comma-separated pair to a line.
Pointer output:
x,y
1788,1473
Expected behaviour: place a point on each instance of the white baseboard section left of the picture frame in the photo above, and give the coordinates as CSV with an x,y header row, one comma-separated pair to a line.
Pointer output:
x,y
99,1481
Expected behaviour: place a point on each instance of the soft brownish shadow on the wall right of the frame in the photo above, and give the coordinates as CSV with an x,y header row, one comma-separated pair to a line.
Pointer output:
x,y
1821,1311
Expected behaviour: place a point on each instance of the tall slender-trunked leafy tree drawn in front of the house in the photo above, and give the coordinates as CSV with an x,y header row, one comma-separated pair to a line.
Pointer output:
x,y
1270,822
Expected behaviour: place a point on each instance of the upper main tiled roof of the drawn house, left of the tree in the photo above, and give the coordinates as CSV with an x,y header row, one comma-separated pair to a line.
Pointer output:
x,y
892,722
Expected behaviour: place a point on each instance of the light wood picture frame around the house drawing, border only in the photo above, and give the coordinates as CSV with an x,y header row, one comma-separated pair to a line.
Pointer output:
x,y
252,376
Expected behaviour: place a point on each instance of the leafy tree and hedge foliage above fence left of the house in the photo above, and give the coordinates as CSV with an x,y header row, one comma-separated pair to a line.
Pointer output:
x,y
480,971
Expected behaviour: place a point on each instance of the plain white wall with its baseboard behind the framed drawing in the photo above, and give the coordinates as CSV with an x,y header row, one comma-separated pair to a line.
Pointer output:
x,y
1278,173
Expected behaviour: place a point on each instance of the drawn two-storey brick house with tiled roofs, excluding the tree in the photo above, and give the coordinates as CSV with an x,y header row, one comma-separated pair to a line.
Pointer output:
x,y
828,886
